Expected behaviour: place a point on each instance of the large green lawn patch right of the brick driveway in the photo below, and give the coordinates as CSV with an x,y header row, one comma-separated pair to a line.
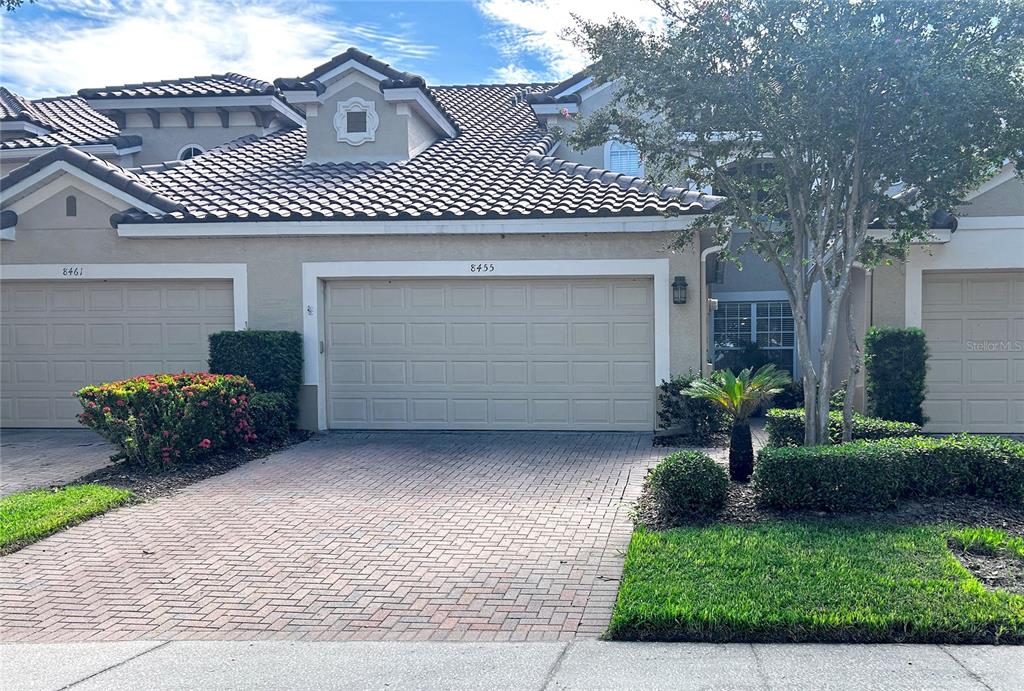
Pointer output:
x,y
808,582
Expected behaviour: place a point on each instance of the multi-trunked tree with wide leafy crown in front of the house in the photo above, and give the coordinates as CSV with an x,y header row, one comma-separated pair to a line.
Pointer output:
x,y
819,120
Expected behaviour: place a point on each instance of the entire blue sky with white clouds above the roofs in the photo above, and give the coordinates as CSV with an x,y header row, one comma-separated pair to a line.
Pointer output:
x,y
59,47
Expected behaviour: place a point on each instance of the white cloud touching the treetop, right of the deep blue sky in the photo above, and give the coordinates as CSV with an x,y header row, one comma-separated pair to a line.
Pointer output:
x,y
536,30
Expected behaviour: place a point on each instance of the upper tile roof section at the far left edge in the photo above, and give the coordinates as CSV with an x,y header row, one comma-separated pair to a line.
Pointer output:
x,y
70,120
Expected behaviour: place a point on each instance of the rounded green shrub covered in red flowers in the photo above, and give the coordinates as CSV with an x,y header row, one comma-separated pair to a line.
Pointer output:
x,y
166,419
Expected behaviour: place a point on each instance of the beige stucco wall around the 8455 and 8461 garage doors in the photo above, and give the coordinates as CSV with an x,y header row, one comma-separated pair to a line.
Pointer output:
x,y
275,264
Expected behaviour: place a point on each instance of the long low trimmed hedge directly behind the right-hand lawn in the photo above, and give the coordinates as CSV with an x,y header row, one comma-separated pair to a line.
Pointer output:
x,y
866,476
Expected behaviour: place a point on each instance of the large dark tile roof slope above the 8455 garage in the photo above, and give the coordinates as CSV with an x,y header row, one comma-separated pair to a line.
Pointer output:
x,y
499,166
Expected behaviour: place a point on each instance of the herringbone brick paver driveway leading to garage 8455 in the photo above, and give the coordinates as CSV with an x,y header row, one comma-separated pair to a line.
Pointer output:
x,y
352,536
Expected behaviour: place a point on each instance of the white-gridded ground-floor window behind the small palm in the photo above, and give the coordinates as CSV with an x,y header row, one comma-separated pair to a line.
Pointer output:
x,y
770,325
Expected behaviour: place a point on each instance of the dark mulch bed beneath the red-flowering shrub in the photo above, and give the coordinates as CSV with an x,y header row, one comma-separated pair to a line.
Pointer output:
x,y
149,484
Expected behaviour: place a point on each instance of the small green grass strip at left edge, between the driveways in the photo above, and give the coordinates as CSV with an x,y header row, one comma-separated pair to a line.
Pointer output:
x,y
32,515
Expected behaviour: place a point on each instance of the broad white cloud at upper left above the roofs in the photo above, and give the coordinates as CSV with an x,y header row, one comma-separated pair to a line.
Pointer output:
x,y
90,44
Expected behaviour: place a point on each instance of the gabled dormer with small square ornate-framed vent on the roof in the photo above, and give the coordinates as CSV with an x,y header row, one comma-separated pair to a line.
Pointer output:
x,y
360,110
